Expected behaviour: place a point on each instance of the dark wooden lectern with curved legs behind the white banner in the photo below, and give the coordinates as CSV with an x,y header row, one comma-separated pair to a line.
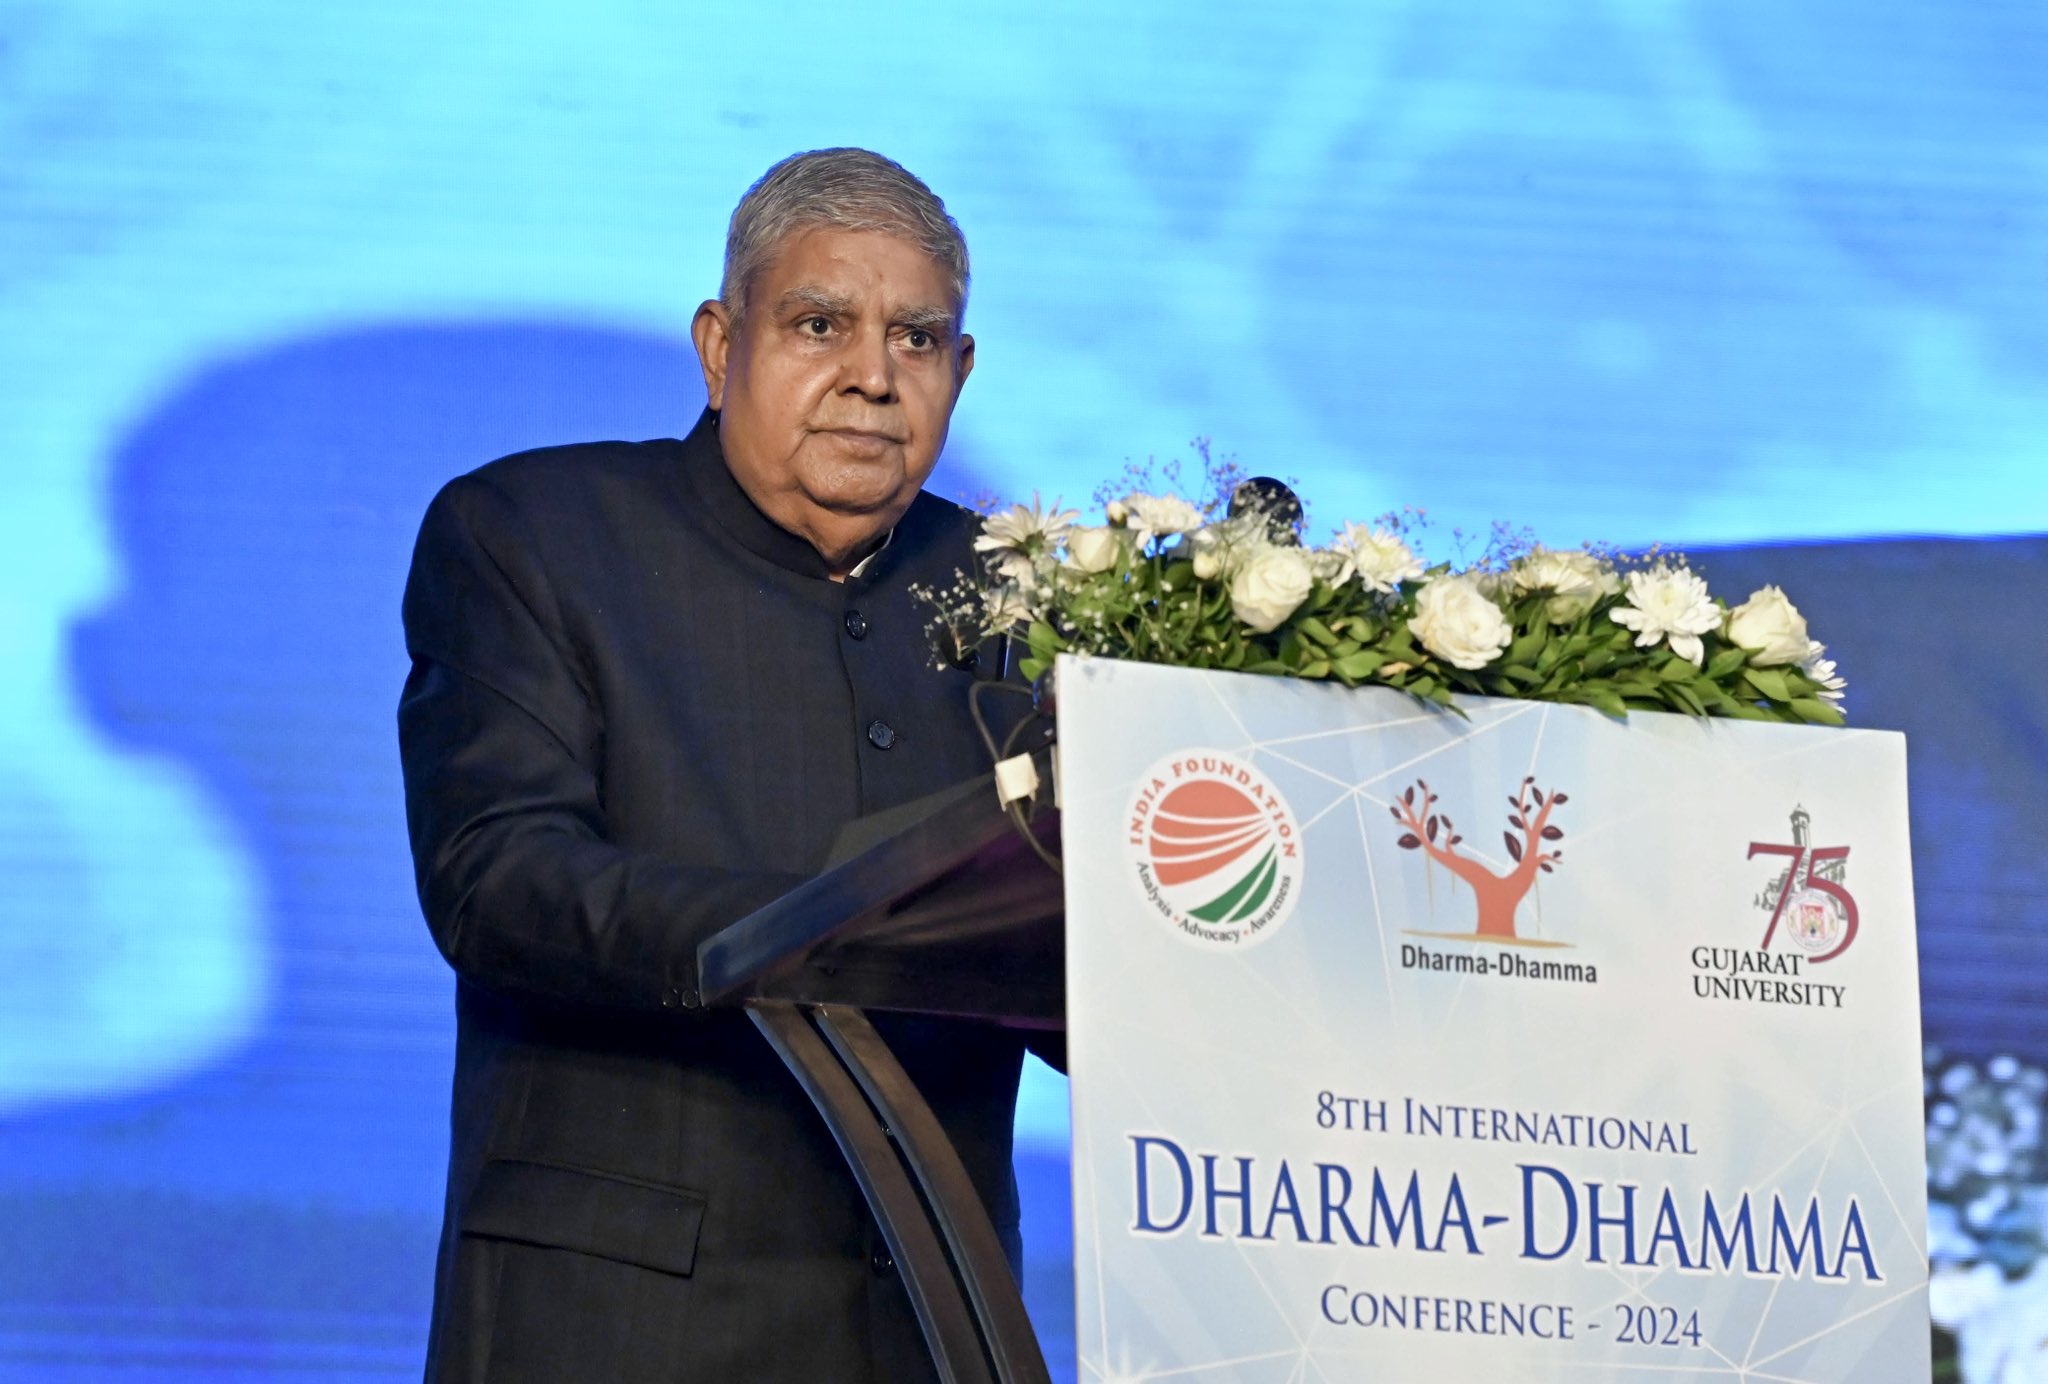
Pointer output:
x,y
939,908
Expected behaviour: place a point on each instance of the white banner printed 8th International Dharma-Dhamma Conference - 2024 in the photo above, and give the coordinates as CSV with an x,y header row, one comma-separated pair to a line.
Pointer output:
x,y
1527,1047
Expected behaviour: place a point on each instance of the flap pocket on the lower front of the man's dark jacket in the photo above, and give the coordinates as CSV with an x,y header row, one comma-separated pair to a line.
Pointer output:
x,y
601,1215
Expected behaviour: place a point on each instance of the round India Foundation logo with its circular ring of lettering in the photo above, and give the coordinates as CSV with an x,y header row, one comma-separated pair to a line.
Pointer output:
x,y
1213,849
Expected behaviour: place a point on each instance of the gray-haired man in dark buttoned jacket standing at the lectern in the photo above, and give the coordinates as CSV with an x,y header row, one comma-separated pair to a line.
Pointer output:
x,y
650,683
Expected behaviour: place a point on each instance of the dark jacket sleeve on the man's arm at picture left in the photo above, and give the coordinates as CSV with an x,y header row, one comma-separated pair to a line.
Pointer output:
x,y
501,740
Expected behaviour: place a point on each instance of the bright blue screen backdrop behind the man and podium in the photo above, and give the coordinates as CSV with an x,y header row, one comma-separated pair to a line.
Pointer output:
x,y
1705,273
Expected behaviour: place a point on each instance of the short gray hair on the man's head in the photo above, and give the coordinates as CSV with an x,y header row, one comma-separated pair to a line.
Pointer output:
x,y
847,191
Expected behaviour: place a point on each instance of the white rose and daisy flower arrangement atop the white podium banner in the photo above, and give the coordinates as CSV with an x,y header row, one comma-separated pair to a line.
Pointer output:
x,y
1228,585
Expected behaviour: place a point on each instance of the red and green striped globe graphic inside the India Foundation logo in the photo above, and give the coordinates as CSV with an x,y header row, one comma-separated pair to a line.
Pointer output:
x,y
1213,842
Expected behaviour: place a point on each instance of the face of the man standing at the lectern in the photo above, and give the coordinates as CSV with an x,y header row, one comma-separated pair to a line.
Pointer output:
x,y
837,386
